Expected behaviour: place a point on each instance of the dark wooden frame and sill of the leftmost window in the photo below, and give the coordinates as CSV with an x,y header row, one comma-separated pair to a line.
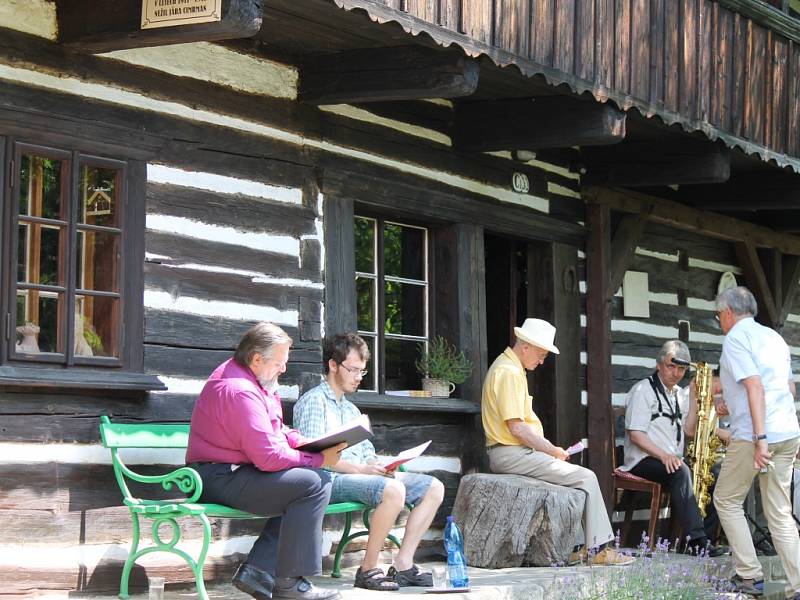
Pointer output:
x,y
64,370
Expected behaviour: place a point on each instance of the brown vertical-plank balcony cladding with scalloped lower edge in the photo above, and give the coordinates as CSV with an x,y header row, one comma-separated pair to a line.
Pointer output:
x,y
723,67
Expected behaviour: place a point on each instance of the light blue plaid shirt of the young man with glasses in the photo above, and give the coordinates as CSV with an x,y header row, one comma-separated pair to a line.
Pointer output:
x,y
318,411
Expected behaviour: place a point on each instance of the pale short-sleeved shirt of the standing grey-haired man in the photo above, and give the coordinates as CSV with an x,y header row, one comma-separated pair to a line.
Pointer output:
x,y
752,349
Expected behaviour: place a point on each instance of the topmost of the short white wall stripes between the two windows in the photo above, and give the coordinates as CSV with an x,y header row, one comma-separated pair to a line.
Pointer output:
x,y
223,184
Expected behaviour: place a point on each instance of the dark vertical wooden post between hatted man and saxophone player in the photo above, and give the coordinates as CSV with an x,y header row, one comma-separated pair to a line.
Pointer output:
x,y
598,347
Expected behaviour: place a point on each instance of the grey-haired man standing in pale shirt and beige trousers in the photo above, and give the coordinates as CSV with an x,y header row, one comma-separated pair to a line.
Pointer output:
x,y
759,392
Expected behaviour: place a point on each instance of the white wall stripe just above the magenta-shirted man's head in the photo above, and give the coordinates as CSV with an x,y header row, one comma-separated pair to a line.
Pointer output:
x,y
160,300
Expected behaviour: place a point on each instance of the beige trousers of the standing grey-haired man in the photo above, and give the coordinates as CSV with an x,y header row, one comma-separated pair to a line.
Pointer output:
x,y
735,479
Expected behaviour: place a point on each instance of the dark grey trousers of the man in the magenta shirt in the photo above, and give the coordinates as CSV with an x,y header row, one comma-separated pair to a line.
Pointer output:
x,y
290,545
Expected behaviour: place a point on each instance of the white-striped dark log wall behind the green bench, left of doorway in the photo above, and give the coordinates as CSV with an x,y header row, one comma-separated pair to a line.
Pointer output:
x,y
239,183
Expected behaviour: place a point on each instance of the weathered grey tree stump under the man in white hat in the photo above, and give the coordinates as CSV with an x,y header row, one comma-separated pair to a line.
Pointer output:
x,y
516,521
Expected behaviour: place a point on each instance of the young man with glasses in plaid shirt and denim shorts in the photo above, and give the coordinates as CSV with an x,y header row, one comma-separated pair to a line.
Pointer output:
x,y
358,477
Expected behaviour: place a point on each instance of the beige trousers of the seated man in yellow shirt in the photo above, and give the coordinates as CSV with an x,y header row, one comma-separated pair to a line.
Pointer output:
x,y
521,460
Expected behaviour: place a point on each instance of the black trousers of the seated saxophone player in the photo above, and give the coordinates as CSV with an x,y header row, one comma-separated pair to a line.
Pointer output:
x,y
682,501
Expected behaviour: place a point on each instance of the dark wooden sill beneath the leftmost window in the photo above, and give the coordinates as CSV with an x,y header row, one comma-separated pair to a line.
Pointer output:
x,y
85,379
